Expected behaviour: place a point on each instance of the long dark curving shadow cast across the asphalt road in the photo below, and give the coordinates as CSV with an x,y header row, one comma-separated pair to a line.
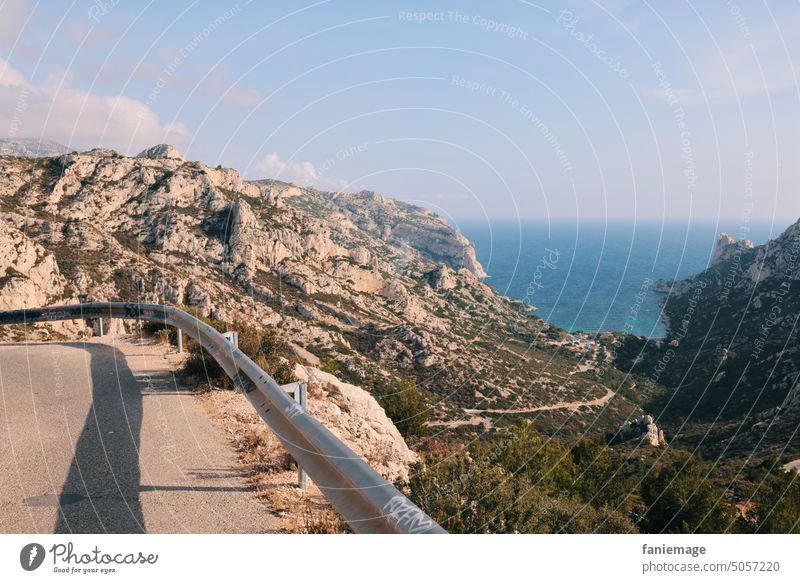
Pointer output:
x,y
101,492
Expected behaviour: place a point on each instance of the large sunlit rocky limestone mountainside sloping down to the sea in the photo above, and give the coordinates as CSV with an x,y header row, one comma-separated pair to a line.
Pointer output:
x,y
385,289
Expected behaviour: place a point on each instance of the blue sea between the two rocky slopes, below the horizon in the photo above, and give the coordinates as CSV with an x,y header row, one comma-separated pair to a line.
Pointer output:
x,y
597,276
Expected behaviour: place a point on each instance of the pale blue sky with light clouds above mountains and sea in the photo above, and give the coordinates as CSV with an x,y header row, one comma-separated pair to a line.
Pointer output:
x,y
516,109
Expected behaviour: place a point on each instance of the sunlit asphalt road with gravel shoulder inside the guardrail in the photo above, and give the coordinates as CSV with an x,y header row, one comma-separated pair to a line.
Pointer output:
x,y
98,438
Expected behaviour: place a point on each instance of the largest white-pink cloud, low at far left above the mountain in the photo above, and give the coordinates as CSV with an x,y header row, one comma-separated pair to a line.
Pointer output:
x,y
78,118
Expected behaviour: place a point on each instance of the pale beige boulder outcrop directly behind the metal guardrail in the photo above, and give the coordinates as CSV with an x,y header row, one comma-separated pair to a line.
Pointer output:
x,y
356,418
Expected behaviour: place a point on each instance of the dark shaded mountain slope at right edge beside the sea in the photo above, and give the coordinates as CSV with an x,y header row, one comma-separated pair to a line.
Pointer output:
x,y
731,358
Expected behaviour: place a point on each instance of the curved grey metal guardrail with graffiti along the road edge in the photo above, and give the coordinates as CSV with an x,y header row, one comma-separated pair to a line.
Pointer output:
x,y
367,502
